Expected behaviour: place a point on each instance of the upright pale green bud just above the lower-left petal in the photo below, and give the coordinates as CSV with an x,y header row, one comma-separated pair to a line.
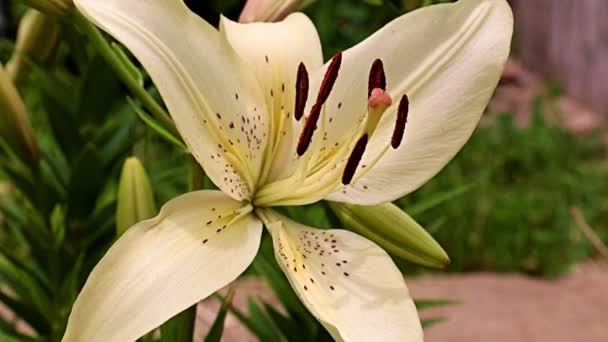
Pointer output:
x,y
135,199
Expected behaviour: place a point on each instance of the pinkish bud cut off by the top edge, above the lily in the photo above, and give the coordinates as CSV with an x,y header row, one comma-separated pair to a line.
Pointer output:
x,y
268,10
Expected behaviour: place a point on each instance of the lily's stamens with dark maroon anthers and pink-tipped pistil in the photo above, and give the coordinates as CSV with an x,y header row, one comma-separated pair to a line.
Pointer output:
x,y
320,169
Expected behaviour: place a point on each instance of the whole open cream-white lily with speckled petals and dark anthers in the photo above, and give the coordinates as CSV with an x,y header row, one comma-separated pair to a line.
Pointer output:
x,y
271,125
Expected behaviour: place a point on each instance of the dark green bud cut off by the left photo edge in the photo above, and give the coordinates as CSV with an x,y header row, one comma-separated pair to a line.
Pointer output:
x,y
15,128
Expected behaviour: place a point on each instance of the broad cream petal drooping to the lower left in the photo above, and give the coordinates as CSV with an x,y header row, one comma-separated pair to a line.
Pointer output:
x,y
161,266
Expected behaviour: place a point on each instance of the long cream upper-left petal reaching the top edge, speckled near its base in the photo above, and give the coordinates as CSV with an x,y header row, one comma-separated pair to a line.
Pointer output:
x,y
214,100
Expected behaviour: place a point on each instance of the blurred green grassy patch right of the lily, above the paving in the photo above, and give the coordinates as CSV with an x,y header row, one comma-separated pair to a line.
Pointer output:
x,y
516,216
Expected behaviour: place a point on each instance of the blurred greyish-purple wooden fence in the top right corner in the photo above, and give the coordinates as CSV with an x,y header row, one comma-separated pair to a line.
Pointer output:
x,y
566,41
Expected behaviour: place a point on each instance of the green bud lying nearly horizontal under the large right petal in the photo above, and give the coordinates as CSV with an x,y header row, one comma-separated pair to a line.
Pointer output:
x,y
394,230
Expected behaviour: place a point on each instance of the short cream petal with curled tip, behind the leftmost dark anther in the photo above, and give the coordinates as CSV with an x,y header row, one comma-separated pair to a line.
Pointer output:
x,y
274,51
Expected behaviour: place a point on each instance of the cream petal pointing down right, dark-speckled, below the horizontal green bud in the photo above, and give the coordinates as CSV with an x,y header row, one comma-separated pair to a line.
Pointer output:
x,y
349,283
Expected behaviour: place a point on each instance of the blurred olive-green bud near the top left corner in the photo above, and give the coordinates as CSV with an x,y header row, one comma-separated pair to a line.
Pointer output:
x,y
36,38
